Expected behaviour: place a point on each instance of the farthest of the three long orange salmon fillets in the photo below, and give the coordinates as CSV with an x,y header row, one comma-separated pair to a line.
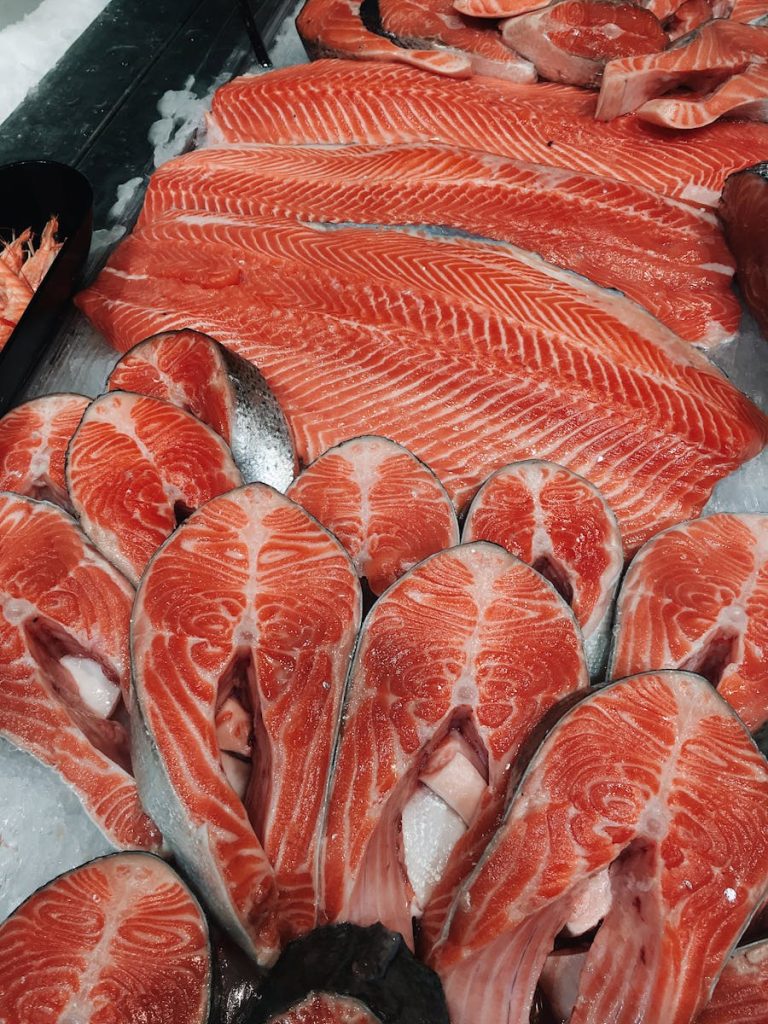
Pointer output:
x,y
333,102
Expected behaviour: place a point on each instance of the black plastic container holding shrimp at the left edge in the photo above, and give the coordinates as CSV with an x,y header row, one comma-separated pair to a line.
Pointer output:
x,y
31,192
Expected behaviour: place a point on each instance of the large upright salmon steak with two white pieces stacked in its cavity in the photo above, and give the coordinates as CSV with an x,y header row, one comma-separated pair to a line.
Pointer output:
x,y
455,667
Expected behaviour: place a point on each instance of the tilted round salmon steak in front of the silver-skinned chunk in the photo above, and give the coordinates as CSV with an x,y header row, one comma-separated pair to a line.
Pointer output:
x,y
138,466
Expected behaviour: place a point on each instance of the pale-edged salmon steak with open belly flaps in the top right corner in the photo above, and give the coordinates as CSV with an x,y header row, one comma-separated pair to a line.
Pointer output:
x,y
723,64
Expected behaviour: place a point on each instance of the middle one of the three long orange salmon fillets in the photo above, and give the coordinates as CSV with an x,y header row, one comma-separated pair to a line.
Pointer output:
x,y
669,258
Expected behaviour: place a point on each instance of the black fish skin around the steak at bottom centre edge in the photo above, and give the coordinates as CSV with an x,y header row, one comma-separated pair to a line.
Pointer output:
x,y
371,965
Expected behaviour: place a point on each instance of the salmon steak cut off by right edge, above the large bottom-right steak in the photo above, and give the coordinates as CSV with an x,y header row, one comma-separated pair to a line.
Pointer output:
x,y
696,598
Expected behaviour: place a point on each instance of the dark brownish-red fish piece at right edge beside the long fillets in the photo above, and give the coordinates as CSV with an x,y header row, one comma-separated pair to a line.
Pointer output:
x,y
744,209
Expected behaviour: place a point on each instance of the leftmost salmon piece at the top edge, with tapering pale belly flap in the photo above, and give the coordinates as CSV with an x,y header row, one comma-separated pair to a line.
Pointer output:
x,y
334,28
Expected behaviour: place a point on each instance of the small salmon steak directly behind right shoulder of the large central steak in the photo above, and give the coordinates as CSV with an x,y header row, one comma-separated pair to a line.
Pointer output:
x,y
560,524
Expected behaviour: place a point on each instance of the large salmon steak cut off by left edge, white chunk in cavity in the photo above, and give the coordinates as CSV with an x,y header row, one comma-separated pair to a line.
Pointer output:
x,y
65,616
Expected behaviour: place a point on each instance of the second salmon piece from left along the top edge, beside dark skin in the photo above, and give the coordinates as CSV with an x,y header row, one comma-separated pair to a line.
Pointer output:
x,y
421,23
